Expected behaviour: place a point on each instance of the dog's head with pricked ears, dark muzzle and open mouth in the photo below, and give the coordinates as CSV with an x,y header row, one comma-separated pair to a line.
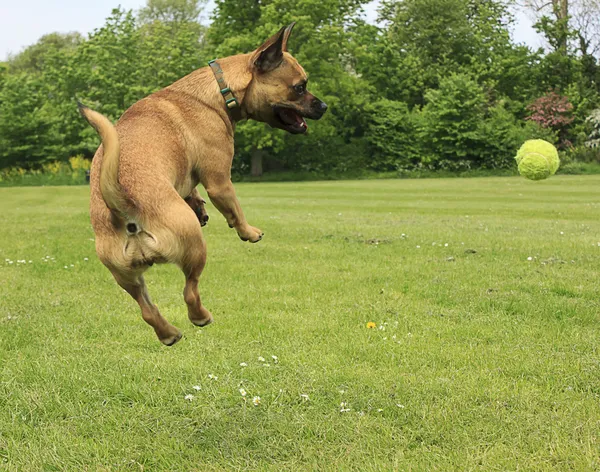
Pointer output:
x,y
277,94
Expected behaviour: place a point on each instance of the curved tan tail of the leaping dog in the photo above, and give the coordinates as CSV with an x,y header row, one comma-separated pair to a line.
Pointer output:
x,y
110,188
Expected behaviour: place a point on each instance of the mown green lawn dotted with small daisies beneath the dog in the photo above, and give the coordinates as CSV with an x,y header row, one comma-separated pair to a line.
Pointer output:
x,y
488,360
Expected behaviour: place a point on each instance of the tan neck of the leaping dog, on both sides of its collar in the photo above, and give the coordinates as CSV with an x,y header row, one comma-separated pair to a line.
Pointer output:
x,y
203,86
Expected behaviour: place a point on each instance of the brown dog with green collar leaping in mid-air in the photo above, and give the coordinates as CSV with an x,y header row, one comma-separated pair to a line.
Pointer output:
x,y
145,208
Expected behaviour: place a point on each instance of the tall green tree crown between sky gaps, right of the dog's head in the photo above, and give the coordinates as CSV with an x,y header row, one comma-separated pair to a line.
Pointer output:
x,y
426,40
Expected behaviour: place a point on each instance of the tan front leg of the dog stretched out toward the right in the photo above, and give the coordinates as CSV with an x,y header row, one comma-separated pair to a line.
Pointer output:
x,y
222,194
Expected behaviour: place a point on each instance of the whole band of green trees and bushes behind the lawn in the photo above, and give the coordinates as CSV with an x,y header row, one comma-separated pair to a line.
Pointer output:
x,y
436,84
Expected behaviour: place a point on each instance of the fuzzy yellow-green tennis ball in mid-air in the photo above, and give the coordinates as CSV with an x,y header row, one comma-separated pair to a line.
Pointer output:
x,y
537,159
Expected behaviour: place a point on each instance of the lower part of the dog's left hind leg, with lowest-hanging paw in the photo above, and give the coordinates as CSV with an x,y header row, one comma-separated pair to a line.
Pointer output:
x,y
136,287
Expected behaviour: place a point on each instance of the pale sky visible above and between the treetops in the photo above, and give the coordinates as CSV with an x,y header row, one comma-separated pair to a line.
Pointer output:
x,y
23,22
